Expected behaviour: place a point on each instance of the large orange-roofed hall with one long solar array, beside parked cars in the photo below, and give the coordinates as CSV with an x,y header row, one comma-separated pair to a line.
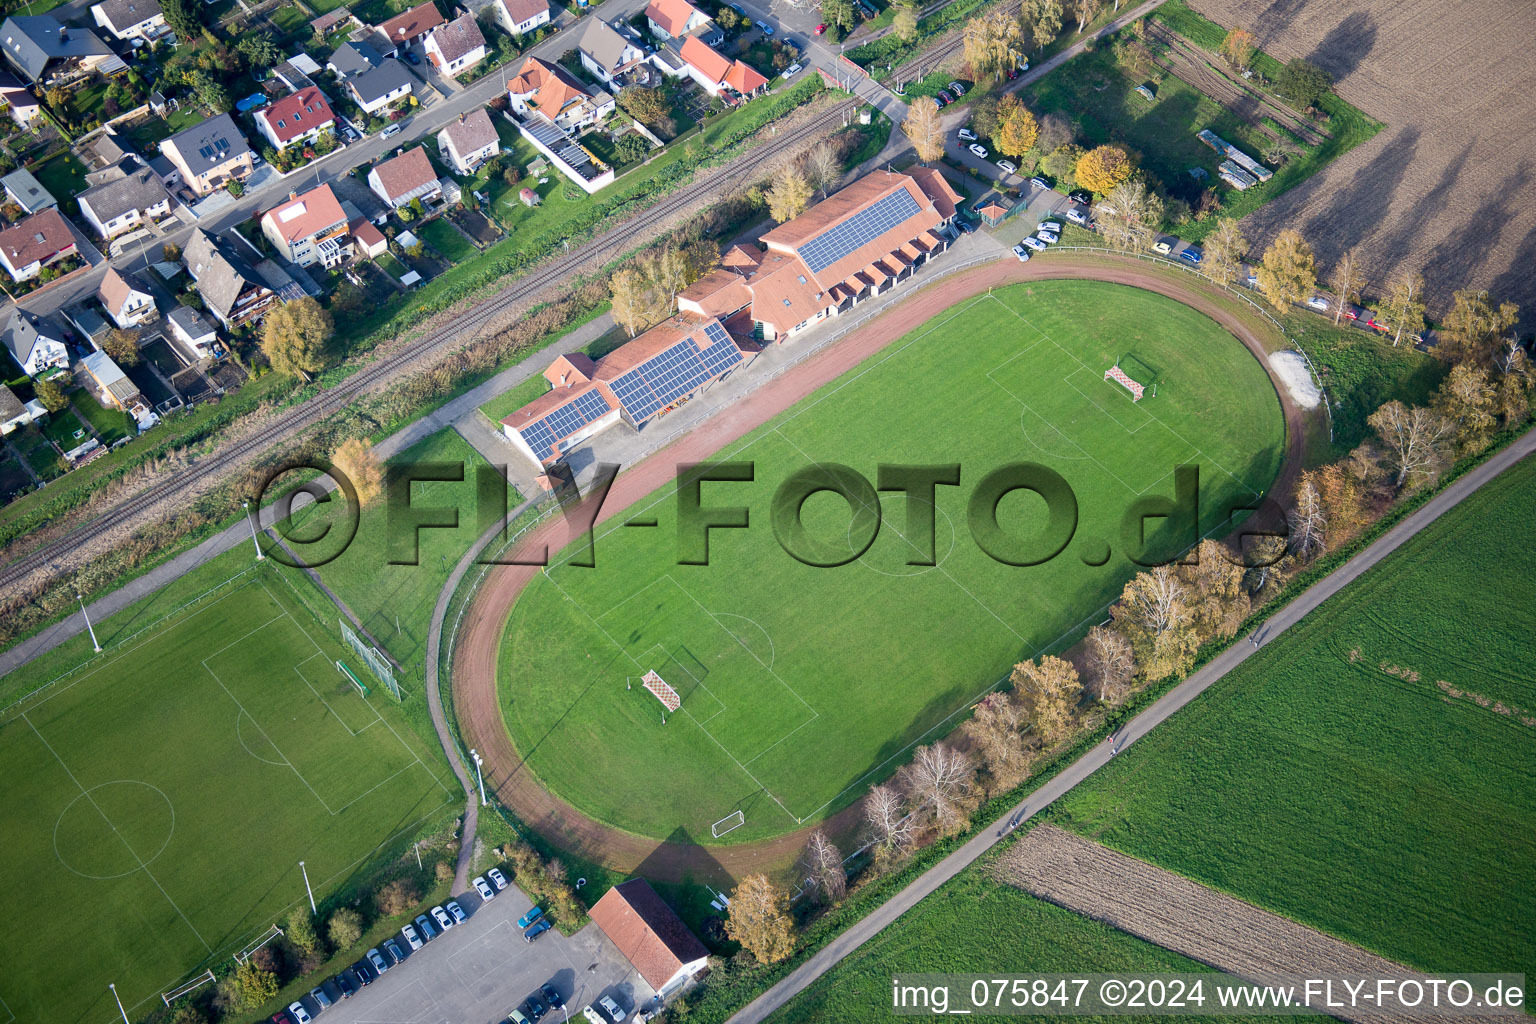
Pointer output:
x,y
856,245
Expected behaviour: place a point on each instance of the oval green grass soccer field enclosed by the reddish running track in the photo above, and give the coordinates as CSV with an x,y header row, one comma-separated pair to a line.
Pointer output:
x,y
804,685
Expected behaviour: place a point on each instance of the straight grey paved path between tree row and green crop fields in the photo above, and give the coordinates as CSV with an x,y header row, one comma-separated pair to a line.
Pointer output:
x,y
1139,727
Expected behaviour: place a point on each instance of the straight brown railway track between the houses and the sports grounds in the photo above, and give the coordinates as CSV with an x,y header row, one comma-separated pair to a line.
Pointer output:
x,y
463,329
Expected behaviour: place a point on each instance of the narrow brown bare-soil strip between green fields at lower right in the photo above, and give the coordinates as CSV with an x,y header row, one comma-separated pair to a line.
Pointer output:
x,y
1187,917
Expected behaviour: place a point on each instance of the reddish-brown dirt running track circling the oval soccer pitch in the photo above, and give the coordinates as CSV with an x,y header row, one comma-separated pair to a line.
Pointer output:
x,y
475,698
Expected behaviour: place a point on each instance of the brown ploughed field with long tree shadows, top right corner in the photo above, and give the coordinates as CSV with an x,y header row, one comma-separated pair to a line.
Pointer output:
x,y
1448,187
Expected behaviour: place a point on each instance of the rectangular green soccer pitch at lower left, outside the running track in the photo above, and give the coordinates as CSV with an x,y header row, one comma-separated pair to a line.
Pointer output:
x,y
161,799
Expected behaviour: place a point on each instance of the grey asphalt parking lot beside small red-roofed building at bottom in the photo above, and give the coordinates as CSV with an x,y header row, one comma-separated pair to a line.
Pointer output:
x,y
482,971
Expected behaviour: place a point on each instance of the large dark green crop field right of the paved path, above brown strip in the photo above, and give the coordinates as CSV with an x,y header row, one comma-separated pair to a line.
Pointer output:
x,y
1372,773
